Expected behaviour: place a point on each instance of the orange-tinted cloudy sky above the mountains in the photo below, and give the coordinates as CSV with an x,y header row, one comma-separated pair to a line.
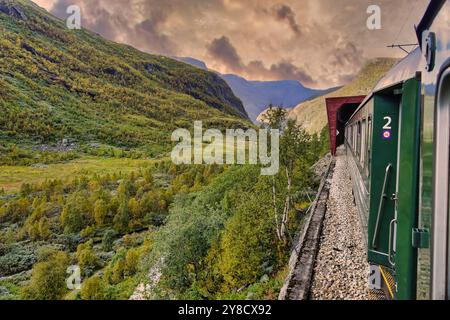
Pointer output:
x,y
321,43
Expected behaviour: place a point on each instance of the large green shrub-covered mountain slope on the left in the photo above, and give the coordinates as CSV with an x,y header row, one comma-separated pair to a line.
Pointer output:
x,y
58,83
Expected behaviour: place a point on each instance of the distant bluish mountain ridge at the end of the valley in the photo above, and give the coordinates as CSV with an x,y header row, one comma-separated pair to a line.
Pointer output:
x,y
257,95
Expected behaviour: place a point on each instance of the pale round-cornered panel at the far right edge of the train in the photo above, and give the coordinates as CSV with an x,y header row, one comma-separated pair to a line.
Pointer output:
x,y
440,283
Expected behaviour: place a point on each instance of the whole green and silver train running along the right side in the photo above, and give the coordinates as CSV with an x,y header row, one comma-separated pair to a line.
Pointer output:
x,y
398,146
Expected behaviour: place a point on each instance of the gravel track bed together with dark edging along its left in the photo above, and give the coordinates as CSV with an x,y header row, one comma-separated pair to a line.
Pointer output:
x,y
329,260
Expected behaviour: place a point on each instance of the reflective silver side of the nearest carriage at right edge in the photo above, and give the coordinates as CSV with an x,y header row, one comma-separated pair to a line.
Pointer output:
x,y
433,262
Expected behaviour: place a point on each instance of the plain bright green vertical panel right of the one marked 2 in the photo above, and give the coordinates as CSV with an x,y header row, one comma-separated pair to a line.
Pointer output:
x,y
407,235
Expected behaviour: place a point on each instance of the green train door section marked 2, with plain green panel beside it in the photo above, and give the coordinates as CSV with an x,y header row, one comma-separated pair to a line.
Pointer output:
x,y
394,189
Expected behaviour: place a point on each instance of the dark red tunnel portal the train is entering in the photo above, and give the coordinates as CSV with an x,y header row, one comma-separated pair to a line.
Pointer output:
x,y
339,111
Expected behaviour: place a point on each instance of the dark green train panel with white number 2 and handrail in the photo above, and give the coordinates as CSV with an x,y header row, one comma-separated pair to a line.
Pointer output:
x,y
383,184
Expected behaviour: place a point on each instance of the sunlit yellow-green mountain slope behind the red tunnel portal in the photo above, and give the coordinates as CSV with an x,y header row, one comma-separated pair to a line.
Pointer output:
x,y
312,114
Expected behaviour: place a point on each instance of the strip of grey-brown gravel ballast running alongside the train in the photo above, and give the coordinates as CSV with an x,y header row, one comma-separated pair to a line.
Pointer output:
x,y
341,268
